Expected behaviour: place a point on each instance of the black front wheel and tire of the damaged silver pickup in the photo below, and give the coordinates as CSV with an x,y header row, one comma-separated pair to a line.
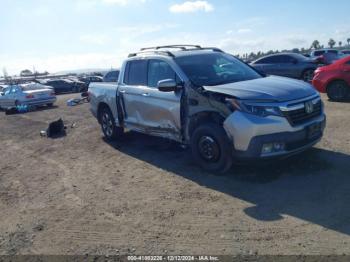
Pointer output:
x,y
211,148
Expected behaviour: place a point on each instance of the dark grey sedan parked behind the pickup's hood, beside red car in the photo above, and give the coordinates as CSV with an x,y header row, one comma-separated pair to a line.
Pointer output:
x,y
288,65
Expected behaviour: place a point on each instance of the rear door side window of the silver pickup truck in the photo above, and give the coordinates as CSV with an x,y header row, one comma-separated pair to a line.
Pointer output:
x,y
137,73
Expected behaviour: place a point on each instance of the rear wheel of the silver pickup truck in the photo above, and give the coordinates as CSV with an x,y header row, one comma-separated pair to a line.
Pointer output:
x,y
109,129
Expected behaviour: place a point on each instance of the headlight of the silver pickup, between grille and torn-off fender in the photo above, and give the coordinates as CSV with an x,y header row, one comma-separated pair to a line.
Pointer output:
x,y
254,109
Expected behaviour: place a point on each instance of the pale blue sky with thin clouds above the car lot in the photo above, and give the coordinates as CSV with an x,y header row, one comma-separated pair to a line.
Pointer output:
x,y
61,35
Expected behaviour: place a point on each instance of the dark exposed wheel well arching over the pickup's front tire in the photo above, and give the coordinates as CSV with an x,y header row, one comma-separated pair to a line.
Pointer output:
x,y
204,117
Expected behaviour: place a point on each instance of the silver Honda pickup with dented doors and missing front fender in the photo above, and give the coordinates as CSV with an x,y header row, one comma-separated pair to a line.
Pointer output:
x,y
213,102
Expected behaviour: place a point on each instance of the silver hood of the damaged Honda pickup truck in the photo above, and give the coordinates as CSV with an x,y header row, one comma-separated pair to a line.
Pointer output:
x,y
269,89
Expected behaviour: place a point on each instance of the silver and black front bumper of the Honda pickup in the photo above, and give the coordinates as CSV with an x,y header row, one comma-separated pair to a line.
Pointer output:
x,y
260,138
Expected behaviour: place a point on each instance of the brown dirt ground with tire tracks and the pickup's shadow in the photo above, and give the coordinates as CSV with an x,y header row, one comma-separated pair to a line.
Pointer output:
x,y
81,195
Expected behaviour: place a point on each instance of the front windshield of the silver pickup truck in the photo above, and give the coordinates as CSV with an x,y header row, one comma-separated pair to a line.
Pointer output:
x,y
215,69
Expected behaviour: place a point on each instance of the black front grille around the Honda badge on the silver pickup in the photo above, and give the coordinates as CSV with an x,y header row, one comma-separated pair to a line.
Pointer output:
x,y
300,116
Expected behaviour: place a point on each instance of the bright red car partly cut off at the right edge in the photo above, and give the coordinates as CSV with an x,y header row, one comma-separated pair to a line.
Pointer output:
x,y
334,79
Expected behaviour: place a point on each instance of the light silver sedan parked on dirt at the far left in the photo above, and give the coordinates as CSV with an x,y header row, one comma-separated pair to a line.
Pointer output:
x,y
18,95
